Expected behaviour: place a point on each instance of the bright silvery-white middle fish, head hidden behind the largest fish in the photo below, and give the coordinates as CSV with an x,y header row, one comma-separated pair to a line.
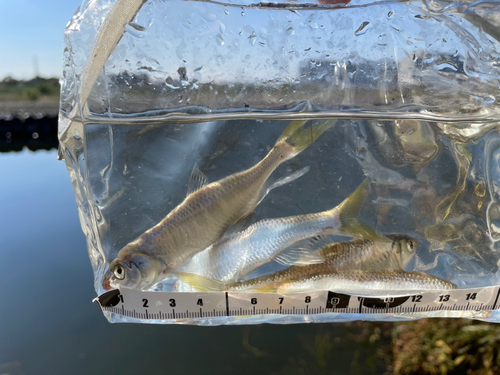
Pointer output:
x,y
237,254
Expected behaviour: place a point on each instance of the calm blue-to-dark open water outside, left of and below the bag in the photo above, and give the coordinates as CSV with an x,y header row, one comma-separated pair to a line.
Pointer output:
x,y
48,324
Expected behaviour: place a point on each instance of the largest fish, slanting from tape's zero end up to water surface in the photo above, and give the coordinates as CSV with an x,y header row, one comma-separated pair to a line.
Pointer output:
x,y
204,216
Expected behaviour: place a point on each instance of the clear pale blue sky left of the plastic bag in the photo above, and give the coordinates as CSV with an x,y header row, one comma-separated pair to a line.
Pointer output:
x,y
30,28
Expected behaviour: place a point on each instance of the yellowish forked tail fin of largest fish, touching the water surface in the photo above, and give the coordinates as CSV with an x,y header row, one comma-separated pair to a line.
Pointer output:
x,y
299,136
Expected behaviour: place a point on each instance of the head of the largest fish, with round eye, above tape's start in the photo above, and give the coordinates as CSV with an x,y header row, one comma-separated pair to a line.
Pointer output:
x,y
133,271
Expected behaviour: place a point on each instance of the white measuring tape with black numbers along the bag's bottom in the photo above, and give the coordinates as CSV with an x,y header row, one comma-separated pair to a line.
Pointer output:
x,y
174,305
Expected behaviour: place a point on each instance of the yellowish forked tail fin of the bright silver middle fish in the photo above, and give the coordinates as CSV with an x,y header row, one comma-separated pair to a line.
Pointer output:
x,y
350,224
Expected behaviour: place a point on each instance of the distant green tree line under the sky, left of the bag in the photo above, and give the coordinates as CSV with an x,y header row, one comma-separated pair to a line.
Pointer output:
x,y
37,88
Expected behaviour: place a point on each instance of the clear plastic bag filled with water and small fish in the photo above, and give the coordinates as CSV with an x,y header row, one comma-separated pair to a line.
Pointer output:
x,y
392,104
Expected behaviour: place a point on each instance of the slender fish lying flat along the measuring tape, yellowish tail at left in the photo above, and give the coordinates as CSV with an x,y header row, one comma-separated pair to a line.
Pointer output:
x,y
360,283
